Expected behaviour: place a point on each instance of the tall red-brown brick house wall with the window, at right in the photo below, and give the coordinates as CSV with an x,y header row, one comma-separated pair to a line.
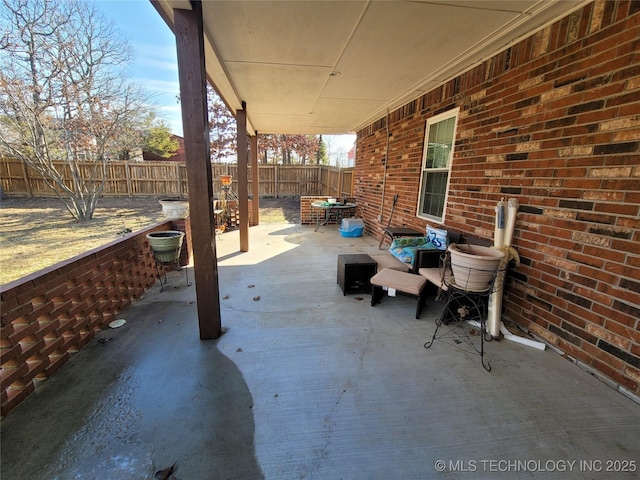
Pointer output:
x,y
553,121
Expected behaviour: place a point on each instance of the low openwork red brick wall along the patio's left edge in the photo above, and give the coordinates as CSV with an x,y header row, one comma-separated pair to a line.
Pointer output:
x,y
51,314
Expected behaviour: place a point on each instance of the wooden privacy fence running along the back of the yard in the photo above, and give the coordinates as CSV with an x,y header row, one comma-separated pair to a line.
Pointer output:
x,y
131,179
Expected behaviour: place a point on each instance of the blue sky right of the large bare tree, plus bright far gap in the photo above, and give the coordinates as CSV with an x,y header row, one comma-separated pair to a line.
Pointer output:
x,y
155,64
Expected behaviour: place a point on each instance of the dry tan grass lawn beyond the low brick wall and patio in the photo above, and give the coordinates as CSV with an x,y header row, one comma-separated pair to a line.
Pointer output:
x,y
36,233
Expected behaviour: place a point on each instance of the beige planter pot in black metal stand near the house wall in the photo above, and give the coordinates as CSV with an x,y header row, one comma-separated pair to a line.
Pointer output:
x,y
474,266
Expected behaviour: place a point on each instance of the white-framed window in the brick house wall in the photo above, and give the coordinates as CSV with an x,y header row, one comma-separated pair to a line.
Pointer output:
x,y
439,139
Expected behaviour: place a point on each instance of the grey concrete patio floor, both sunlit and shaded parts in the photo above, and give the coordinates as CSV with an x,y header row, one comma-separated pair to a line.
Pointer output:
x,y
308,383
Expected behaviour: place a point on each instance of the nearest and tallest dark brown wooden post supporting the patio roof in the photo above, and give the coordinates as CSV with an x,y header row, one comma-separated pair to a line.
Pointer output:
x,y
193,97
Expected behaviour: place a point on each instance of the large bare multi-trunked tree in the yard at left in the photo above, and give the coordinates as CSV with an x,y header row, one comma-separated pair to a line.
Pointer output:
x,y
65,102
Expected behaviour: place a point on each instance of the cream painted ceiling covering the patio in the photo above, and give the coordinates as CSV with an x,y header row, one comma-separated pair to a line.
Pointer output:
x,y
333,67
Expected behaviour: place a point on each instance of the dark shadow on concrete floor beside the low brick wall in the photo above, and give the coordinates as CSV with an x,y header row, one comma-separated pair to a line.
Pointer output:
x,y
137,400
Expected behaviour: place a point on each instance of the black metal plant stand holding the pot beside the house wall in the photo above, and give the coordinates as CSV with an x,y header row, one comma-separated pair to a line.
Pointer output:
x,y
462,306
